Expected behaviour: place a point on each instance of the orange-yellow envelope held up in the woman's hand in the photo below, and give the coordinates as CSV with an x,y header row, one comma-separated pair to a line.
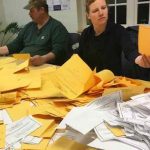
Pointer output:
x,y
143,39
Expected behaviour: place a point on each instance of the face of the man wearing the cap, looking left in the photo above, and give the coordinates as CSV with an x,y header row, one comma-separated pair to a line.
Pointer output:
x,y
35,14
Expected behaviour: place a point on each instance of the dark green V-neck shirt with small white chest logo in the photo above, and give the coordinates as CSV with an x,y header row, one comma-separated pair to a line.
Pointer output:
x,y
52,37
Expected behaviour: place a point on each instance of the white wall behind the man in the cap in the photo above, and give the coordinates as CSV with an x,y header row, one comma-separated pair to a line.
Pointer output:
x,y
13,12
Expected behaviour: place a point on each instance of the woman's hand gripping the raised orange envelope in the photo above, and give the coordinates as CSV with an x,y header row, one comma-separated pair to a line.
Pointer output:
x,y
143,61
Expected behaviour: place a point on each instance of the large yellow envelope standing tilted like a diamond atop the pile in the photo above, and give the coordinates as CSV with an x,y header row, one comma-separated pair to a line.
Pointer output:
x,y
74,77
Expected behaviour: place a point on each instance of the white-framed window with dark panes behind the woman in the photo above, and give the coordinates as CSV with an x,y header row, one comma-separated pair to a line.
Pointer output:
x,y
126,12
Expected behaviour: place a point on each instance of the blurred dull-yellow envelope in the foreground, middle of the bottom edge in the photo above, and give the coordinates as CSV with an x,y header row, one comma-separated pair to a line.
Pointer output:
x,y
65,143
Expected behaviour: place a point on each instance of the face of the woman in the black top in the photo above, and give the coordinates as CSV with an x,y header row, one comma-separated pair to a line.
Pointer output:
x,y
98,13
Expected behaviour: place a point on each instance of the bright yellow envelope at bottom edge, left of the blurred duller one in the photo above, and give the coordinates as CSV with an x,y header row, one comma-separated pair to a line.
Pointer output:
x,y
41,146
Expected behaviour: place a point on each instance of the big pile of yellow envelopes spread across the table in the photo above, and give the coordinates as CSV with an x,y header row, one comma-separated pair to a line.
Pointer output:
x,y
49,92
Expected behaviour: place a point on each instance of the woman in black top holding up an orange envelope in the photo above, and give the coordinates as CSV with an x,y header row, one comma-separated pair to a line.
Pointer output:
x,y
102,43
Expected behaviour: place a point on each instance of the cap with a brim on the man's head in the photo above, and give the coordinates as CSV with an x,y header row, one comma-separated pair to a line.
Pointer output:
x,y
35,3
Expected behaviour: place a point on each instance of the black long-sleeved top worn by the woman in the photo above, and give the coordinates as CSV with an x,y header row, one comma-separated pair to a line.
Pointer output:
x,y
104,51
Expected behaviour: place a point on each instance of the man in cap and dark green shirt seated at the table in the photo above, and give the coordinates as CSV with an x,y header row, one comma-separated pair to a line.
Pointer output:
x,y
45,38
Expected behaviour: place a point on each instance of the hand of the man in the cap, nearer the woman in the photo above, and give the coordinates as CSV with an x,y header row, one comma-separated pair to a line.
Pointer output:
x,y
37,60
